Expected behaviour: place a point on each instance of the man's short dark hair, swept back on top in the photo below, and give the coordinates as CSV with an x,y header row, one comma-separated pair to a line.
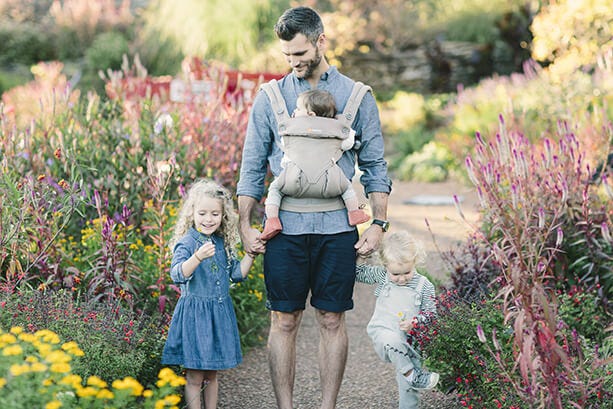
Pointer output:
x,y
299,20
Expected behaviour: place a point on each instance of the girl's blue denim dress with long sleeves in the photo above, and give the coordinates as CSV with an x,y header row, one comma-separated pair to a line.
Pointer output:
x,y
203,333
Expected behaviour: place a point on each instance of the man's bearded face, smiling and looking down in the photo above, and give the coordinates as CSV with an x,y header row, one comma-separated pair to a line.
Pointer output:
x,y
302,55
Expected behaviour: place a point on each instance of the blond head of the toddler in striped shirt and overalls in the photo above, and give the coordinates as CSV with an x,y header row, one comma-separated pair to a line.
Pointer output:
x,y
401,253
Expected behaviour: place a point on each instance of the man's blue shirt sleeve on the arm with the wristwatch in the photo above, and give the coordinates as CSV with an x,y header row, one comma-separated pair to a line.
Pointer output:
x,y
371,162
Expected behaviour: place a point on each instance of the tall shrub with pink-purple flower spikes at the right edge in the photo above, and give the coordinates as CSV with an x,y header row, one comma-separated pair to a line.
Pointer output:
x,y
530,198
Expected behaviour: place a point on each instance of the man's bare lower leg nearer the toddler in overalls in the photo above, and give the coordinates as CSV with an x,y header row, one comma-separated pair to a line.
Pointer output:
x,y
333,345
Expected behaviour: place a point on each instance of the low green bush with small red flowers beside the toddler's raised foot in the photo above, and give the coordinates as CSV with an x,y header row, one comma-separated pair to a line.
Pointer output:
x,y
453,349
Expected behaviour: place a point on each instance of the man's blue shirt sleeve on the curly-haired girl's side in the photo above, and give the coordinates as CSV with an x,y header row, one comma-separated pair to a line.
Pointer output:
x,y
257,146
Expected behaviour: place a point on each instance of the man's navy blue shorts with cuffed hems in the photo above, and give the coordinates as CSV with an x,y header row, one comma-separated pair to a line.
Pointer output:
x,y
323,264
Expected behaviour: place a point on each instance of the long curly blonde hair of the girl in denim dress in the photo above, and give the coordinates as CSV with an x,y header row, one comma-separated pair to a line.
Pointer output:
x,y
228,229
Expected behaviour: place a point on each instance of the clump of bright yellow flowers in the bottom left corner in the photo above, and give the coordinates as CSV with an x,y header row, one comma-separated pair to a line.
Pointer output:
x,y
40,362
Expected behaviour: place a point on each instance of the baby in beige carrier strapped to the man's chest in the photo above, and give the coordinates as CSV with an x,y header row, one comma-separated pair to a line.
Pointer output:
x,y
309,138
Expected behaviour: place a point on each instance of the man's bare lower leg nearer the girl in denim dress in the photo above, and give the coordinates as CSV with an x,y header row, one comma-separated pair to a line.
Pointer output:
x,y
282,355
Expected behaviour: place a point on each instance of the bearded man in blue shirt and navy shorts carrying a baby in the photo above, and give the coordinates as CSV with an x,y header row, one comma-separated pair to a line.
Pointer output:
x,y
316,251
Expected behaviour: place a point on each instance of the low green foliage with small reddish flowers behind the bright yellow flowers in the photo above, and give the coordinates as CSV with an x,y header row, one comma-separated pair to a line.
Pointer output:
x,y
116,341
